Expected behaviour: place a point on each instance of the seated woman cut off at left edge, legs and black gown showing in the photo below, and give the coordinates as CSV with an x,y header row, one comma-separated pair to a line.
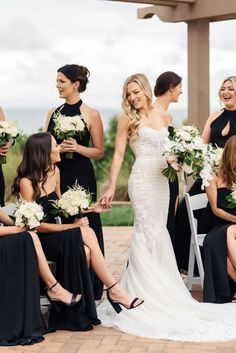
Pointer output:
x,y
21,259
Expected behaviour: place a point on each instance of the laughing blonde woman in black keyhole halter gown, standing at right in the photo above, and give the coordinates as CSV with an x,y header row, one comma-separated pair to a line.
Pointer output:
x,y
219,127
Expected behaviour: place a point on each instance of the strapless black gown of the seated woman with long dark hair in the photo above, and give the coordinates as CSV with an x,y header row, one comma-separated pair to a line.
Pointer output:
x,y
66,248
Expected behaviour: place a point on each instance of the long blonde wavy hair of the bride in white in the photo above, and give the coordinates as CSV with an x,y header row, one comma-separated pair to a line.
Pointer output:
x,y
133,114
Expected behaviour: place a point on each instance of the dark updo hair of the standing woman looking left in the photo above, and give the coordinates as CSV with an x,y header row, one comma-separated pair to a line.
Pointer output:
x,y
76,73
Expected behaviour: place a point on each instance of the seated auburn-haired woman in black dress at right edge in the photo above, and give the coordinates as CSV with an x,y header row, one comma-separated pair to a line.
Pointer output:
x,y
220,243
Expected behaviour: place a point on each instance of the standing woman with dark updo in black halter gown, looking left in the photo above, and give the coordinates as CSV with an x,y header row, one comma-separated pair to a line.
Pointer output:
x,y
71,82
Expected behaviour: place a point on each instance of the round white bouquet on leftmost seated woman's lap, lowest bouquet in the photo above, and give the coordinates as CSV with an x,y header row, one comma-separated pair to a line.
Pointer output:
x,y
28,215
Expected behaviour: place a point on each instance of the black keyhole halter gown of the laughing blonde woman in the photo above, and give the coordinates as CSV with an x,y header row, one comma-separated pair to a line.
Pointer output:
x,y
183,233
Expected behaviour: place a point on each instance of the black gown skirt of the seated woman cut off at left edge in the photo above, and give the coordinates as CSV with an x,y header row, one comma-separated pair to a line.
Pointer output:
x,y
20,316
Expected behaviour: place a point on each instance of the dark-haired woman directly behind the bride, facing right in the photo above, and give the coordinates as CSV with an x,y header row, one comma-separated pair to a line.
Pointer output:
x,y
167,90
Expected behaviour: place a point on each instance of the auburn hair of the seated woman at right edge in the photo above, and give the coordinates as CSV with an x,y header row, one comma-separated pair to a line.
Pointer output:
x,y
228,162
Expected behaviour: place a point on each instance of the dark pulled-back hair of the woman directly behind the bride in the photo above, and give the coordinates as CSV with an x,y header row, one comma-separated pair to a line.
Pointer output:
x,y
165,81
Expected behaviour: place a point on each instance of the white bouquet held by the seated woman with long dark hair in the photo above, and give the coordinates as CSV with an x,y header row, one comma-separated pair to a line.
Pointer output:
x,y
72,202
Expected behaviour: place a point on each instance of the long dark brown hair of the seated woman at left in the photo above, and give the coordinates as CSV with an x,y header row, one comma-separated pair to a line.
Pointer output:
x,y
35,163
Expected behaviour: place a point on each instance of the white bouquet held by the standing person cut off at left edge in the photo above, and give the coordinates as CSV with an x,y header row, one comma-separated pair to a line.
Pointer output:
x,y
8,132
